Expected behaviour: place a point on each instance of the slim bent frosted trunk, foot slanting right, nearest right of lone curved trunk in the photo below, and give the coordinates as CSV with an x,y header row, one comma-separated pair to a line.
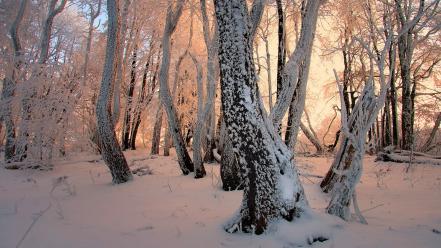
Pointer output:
x,y
185,163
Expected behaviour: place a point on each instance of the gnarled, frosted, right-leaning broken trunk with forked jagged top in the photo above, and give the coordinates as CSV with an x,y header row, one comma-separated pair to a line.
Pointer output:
x,y
364,113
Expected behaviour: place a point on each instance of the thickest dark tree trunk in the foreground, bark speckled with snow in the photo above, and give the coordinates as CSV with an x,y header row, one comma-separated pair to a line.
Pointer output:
x,y
272,189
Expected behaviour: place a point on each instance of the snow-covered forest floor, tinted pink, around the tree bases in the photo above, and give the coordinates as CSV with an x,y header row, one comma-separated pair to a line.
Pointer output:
x,y
75,205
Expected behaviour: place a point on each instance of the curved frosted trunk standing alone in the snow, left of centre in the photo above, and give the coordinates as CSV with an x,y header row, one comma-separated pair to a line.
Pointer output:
x,y
111,151
